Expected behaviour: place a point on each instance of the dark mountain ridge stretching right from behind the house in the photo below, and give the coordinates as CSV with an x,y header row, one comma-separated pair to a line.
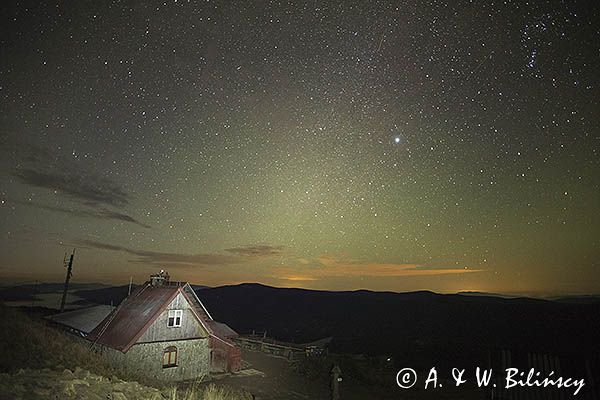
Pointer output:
x,y
377,321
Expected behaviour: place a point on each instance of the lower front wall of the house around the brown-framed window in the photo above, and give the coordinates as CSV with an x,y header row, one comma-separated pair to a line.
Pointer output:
x,y
145,359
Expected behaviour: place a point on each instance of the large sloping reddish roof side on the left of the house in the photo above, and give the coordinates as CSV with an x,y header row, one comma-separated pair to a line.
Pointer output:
x,y
121,328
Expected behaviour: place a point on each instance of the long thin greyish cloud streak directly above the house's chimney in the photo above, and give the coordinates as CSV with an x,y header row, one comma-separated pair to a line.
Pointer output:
x,y
172,259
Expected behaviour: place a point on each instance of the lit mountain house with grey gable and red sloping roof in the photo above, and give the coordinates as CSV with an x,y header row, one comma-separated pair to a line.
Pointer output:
x,y
163,331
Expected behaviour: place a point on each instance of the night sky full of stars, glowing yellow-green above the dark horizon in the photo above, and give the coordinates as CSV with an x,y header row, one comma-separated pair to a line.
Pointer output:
x,y
399,145
